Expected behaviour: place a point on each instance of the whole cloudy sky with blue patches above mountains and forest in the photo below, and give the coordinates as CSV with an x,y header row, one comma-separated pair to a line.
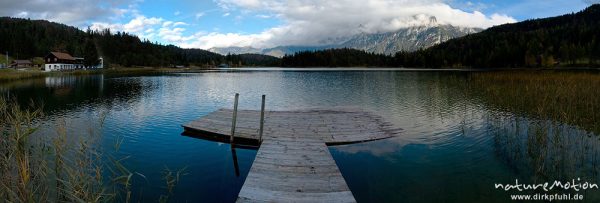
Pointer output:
x,y
267,23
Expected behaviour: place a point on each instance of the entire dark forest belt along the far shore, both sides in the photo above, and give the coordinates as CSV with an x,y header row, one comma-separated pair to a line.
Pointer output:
x,y
568,40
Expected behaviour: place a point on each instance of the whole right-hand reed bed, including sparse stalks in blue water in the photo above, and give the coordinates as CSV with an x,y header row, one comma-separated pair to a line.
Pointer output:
x,y
543,122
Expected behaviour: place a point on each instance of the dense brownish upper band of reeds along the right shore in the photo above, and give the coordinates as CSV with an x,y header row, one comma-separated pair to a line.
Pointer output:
x,y
566,97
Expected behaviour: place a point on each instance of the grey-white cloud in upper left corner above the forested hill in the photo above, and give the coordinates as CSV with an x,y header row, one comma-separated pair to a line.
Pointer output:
x,y
71,12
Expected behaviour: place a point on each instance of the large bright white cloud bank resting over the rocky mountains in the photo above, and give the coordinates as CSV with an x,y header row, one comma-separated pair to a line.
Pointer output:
x,y
315,22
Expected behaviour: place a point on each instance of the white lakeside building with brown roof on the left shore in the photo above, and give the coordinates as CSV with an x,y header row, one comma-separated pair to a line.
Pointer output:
x,y
63,61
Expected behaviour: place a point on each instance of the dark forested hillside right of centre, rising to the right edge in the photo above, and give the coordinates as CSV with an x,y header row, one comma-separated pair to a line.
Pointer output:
x,y
568,40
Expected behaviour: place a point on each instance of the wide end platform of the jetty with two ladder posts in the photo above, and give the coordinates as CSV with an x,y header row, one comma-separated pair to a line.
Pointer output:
x,y
329,126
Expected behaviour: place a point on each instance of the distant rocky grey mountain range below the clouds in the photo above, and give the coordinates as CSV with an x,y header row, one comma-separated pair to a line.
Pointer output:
x,y
406,39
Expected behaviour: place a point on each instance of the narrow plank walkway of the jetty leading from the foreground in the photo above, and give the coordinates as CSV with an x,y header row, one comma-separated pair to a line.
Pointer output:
x,y
299,170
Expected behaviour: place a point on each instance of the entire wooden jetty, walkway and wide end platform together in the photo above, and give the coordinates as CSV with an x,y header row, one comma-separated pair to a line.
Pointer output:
x,y
293,163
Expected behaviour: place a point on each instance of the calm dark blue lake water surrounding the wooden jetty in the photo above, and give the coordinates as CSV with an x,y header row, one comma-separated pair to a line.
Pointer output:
x,y
453,148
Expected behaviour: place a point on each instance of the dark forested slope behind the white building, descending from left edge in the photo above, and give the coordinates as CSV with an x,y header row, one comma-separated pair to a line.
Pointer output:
x,y
26,39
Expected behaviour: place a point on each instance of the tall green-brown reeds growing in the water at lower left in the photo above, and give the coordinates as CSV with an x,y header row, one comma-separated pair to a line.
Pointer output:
x,y
60,167
